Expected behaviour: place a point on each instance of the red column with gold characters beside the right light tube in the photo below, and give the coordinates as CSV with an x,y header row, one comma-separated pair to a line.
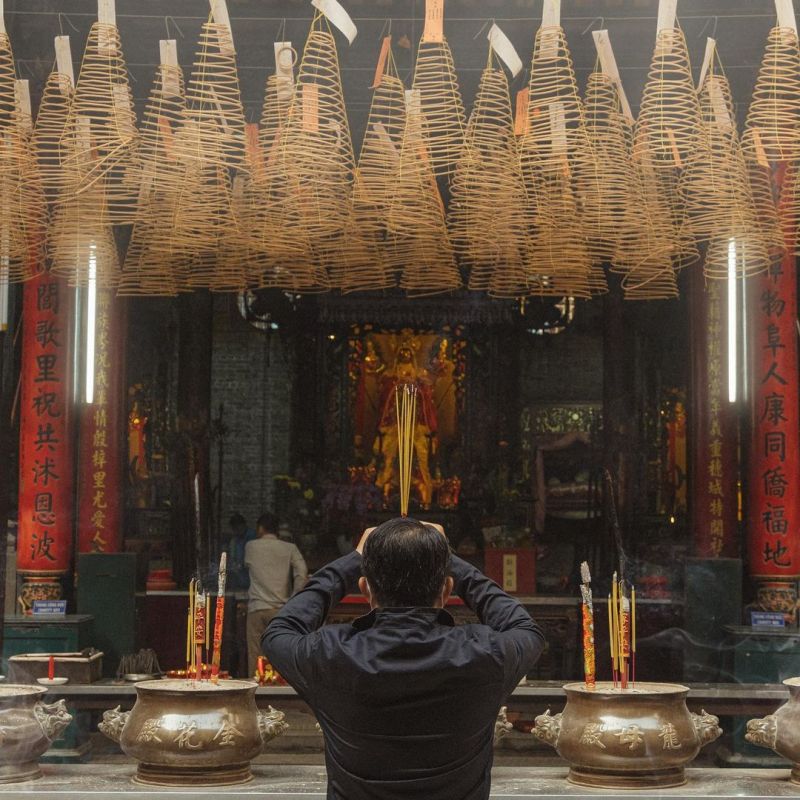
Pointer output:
x,y
714,498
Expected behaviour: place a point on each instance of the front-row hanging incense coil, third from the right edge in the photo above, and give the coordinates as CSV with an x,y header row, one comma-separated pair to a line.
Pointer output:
x,y
555,138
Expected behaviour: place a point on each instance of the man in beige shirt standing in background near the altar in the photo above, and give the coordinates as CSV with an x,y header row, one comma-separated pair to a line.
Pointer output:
x,y
277,570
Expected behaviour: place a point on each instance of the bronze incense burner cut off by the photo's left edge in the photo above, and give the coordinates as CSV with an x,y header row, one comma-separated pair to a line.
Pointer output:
x,y
27,727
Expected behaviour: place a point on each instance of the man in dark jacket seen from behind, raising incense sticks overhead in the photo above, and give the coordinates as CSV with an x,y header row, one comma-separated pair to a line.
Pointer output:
x,y
407,701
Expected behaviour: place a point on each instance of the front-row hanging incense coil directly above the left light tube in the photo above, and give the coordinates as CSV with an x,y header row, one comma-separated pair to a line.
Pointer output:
x,y
100,138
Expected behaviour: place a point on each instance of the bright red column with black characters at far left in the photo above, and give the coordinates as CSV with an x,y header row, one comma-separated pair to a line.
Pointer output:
x,y
44,543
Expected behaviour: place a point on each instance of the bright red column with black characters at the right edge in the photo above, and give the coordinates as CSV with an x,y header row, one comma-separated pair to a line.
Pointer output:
x,y
774,507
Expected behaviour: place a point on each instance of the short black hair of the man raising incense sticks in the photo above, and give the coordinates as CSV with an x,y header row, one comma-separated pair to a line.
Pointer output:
x,y
405,563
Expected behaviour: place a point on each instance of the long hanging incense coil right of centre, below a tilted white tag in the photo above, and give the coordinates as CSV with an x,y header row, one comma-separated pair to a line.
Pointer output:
x,y
492,245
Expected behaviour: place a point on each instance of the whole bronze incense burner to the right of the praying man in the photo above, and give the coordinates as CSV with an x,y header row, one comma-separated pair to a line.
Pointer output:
x,y
633,738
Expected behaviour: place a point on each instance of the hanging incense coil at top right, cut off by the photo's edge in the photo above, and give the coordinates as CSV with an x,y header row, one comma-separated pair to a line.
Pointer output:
x,y
772,130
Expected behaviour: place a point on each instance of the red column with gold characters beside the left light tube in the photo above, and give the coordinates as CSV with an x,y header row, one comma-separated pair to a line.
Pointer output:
x,y
100,466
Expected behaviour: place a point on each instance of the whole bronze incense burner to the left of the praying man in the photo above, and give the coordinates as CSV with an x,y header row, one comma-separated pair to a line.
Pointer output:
x,y
193,733
